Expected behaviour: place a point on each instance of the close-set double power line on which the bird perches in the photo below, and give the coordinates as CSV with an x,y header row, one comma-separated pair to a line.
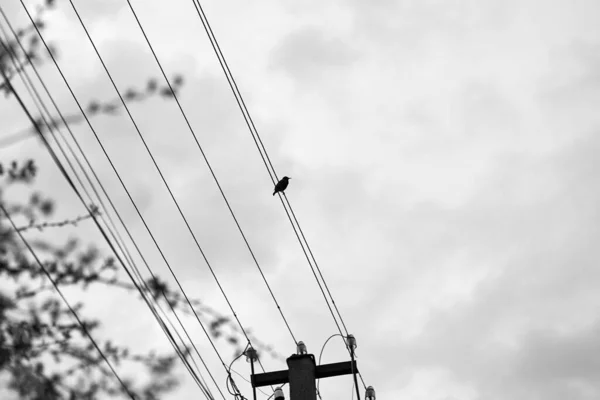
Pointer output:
x,y
266,160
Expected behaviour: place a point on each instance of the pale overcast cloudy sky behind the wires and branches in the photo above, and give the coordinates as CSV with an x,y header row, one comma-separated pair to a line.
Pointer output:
x,y
444,157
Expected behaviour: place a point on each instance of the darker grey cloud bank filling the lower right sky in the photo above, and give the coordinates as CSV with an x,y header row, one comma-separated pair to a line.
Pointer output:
x,y
531,243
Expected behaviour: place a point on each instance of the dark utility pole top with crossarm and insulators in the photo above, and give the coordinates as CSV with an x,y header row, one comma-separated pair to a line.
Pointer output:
x,y
303,372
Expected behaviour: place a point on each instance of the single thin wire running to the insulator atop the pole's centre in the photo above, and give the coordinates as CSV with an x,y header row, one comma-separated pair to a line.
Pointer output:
x,y
211,170
